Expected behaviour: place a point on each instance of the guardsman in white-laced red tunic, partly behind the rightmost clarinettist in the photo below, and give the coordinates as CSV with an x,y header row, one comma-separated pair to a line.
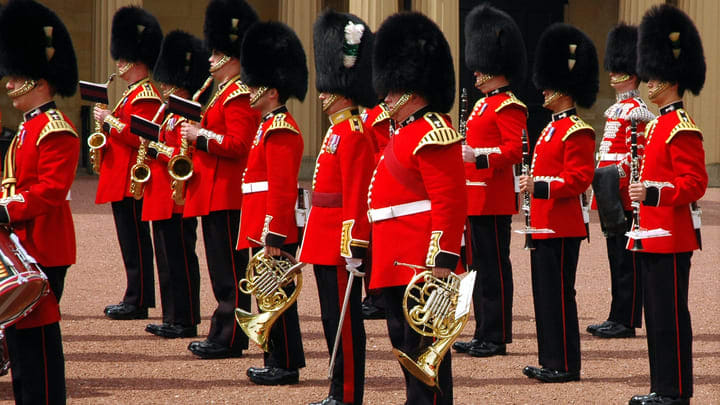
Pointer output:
x,y
610,184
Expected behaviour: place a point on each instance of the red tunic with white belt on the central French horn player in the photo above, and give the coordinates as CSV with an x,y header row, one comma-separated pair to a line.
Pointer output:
x,y
422,162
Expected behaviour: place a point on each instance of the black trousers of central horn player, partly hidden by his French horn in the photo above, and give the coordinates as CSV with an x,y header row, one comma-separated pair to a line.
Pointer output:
x,y
405,339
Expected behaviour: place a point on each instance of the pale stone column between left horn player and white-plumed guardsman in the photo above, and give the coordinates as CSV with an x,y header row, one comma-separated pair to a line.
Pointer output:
x,y
300,15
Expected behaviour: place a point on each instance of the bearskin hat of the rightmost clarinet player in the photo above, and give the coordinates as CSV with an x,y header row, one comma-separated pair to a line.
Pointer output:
x,y
670,49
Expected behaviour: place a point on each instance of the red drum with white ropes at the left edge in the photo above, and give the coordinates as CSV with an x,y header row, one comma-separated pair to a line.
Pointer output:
x,y
22,283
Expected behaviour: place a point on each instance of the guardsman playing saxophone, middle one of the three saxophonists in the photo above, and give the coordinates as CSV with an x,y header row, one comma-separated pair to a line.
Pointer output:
x,y
181,69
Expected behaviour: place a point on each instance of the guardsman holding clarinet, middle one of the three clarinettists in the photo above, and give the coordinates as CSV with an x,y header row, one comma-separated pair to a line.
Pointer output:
x,y
566,70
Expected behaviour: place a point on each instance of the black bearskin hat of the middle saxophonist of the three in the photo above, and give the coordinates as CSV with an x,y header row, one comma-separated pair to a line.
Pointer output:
x,y
183,62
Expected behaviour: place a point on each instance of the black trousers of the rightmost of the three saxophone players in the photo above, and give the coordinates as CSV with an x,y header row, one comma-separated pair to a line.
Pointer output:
x,y
227,267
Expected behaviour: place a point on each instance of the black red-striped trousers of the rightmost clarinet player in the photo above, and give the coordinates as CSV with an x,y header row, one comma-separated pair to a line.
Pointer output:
x,y
667,319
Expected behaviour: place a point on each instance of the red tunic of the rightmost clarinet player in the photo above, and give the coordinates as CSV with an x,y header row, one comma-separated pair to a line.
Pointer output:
x,y
675,176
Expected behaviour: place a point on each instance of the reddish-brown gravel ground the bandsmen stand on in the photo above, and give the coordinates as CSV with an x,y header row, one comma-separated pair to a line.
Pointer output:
x,y
117,362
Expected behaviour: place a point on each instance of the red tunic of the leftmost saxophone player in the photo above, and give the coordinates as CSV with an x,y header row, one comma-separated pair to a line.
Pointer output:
x,y
120,152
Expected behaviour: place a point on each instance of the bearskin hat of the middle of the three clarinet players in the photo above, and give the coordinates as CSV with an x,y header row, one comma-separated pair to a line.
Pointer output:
x,y
566,61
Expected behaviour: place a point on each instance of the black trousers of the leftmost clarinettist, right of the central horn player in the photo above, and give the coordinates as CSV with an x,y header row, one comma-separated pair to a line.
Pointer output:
x,y
493,292
